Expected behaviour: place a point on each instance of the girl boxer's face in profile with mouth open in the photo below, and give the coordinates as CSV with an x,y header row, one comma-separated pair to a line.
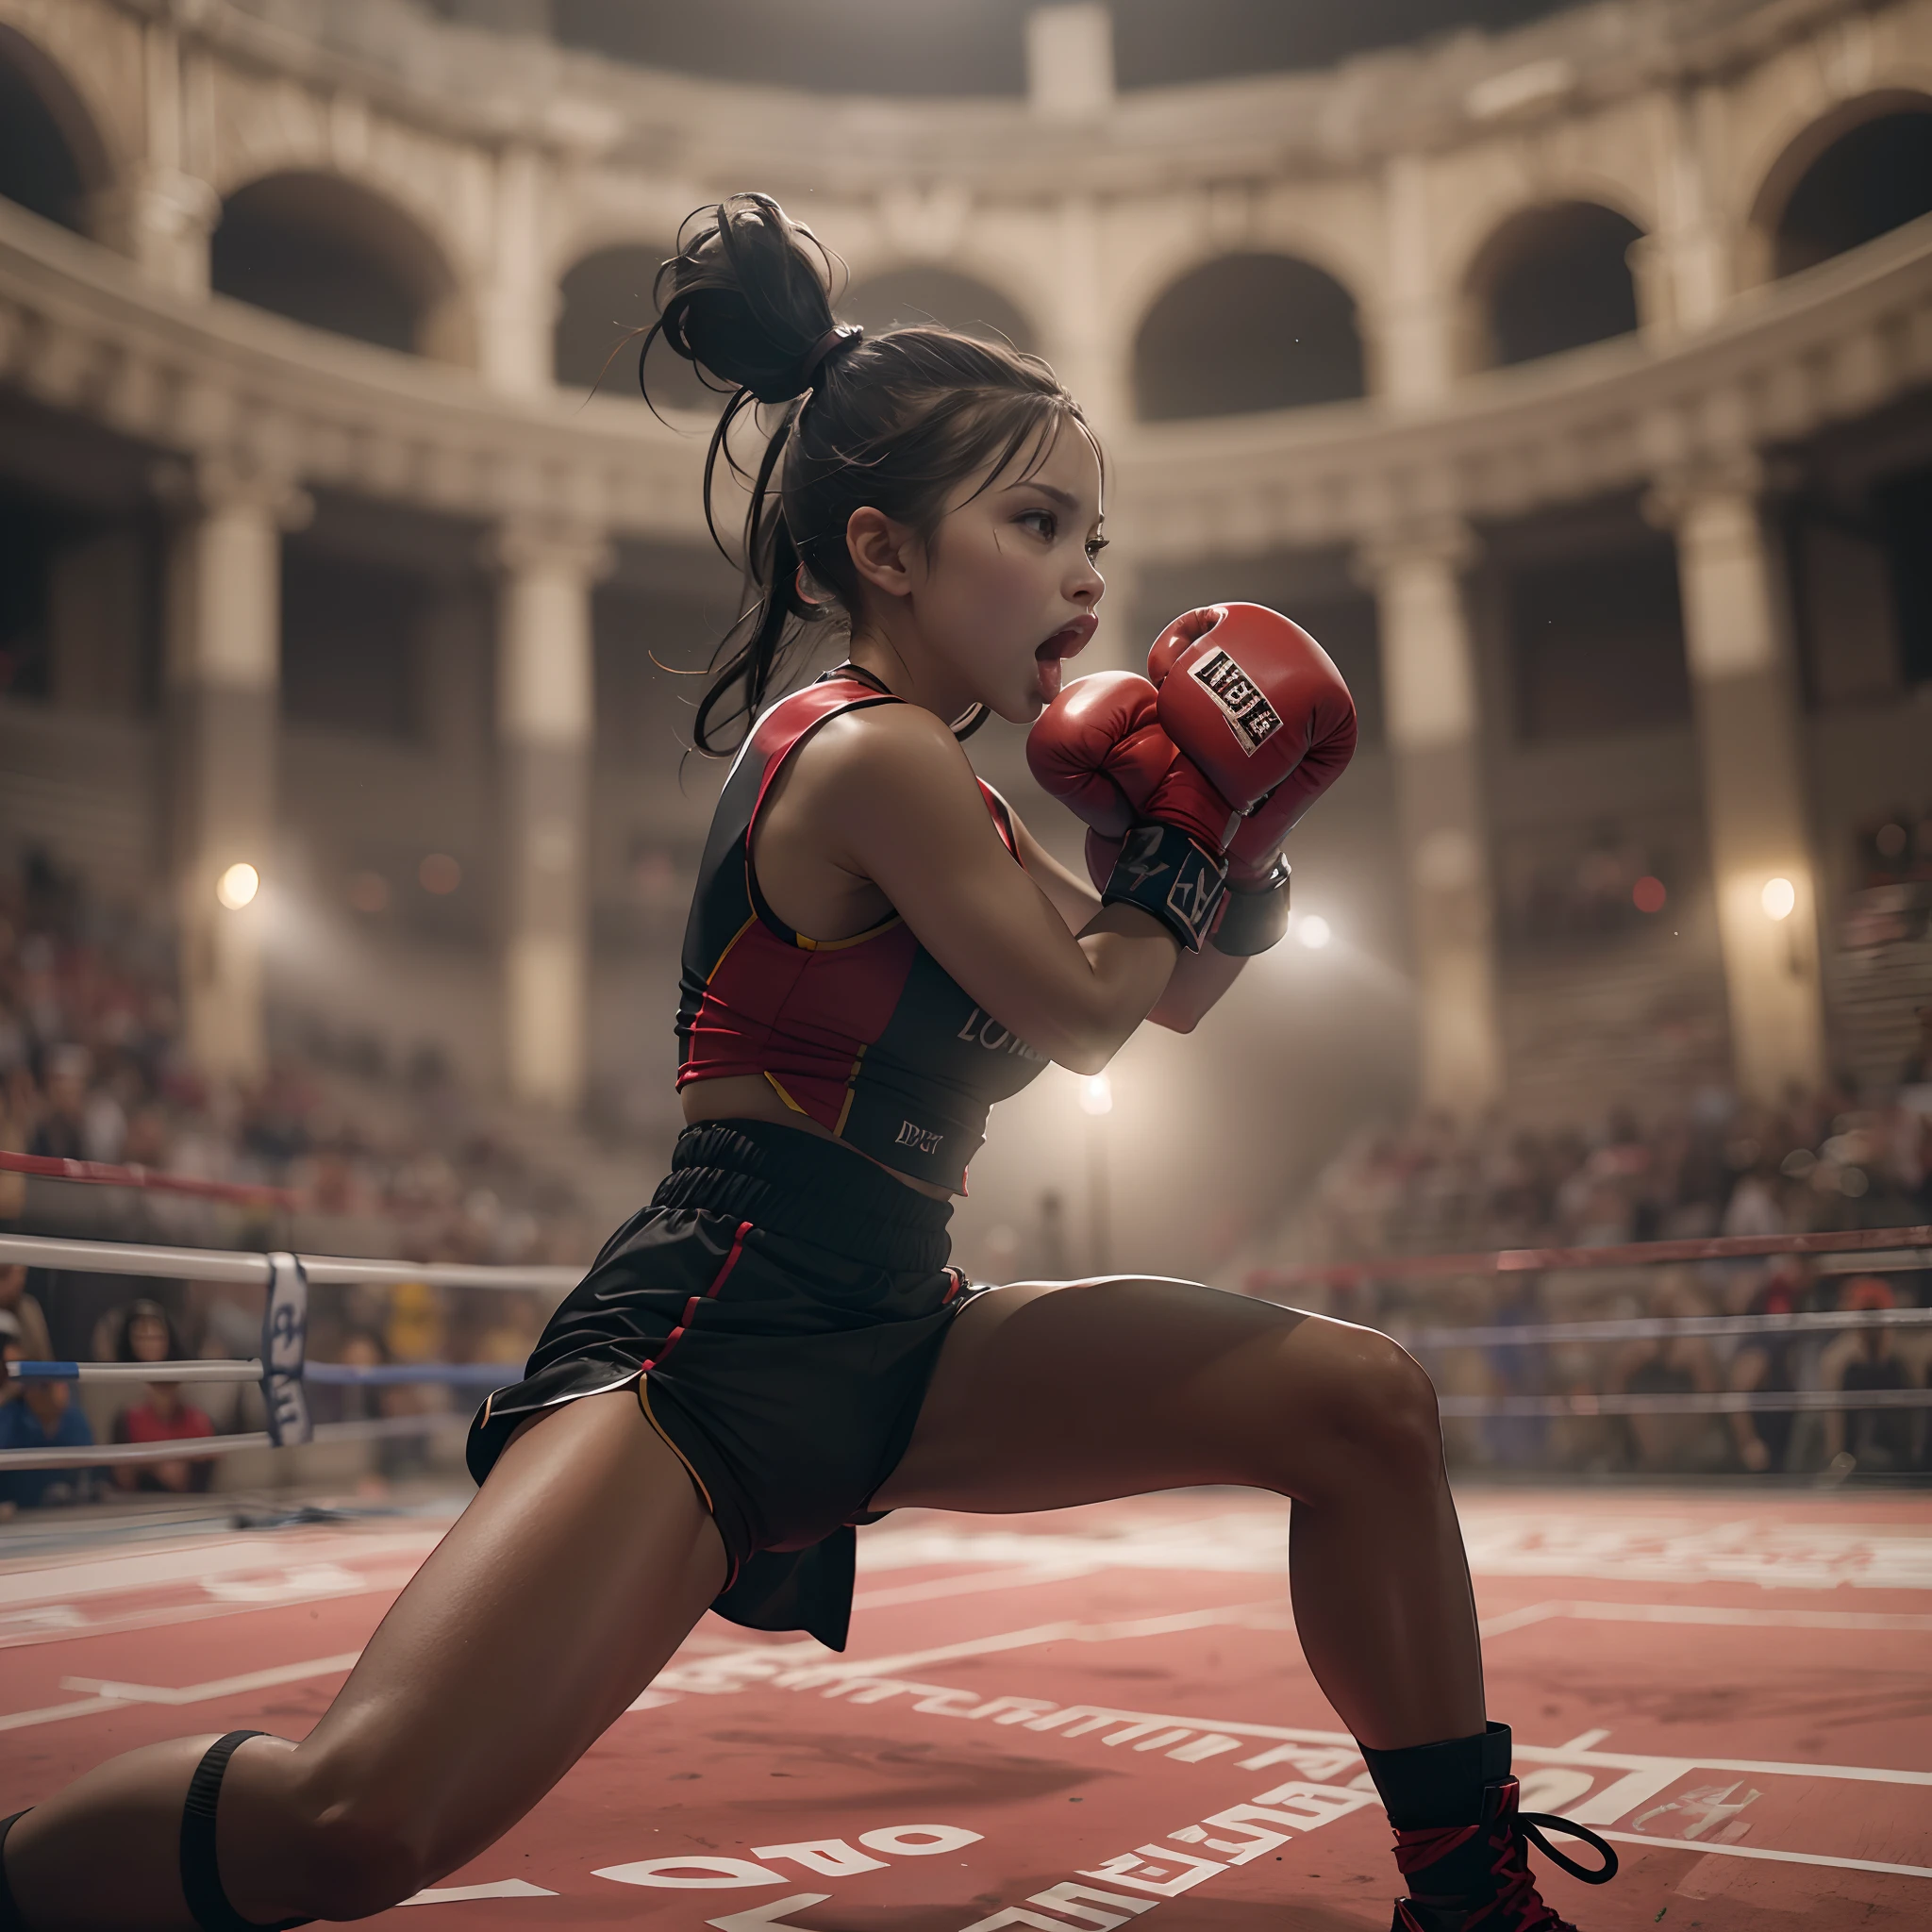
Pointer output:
x,y
1009,586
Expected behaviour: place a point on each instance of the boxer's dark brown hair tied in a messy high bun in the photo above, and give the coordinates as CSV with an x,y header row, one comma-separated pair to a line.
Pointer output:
x,y
892,422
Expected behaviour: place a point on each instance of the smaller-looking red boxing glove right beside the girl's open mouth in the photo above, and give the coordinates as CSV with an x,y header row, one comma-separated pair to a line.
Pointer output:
x,y
1102,751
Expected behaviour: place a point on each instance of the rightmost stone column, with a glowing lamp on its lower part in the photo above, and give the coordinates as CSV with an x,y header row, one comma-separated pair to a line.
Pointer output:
x,y
1755,791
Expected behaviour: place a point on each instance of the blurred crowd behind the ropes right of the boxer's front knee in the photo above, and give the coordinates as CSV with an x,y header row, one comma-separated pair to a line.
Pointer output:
x,y
1811,1166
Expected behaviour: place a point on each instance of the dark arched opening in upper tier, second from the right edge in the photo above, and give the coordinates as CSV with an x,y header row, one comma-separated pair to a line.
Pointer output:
x,y
1548,279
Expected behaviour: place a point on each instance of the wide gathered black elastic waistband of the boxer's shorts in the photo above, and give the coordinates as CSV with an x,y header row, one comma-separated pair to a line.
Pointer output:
x,y
807,1189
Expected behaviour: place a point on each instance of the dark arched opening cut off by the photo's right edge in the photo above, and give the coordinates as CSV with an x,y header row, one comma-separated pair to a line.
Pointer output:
x,y
1844,181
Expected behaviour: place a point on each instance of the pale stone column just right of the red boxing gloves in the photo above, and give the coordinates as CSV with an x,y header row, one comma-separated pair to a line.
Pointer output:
x,y
1431,700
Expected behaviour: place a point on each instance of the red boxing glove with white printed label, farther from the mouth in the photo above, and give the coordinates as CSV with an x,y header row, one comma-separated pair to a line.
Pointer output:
x,y
1261,708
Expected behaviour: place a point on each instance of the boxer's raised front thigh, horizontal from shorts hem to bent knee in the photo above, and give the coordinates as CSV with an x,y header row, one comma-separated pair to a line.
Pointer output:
x,y
1060,1394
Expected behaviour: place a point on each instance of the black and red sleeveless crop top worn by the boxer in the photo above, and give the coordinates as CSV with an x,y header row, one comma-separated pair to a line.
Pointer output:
x,y
868,1037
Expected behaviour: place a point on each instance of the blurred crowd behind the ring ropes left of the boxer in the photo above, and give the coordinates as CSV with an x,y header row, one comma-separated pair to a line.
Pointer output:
x,y
94,1067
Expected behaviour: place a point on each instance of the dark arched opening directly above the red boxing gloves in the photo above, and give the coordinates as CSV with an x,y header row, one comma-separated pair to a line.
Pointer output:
x,y
1255,331
